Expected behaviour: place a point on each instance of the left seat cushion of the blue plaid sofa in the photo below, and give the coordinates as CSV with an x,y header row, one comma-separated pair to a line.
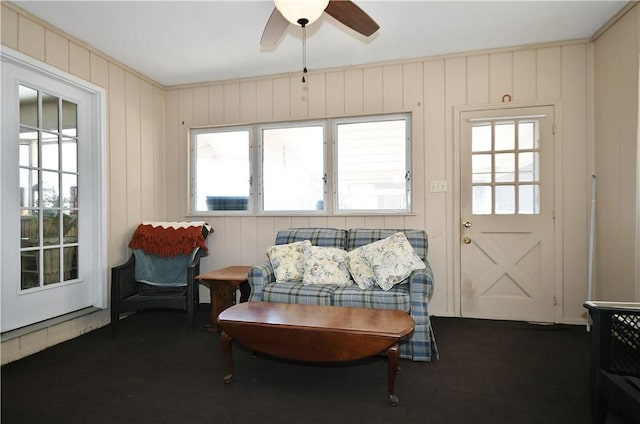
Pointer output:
x,y
296,292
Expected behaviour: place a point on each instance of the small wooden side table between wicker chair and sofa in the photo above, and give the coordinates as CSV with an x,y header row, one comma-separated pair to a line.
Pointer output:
x,y
223,284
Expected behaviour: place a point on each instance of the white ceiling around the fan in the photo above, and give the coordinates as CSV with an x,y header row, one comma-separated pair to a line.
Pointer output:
x,y
180,42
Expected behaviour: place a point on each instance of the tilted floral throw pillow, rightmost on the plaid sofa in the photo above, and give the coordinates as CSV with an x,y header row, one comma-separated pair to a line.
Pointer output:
x,y
392,260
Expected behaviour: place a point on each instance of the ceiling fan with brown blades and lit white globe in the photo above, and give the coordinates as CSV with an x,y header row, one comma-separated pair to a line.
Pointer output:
x,y
303,13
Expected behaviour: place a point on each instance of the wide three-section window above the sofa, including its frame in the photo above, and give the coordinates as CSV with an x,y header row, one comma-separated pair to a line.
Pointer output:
x,y
370,158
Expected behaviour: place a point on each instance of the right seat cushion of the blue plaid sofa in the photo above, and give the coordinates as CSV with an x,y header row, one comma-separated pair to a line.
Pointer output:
x,y
375,297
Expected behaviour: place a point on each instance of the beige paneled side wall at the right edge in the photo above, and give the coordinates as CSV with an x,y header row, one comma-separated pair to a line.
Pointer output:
x,y
616,69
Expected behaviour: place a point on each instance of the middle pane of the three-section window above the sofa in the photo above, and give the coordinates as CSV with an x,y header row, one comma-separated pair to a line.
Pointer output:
x,y
293,169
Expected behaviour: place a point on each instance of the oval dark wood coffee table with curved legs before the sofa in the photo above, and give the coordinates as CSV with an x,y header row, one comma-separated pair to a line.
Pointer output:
x,y
316,333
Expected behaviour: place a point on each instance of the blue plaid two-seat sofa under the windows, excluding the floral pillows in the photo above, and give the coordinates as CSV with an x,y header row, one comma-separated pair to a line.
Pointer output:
x,y
412,297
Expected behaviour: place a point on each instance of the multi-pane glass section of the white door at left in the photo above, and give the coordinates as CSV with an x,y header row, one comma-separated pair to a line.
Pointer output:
x,y
48,165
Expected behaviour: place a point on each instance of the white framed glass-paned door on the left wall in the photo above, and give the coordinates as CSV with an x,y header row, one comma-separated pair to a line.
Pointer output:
x,y
51,236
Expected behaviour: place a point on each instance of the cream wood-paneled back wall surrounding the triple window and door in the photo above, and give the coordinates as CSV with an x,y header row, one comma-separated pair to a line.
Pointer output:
x,y
430,89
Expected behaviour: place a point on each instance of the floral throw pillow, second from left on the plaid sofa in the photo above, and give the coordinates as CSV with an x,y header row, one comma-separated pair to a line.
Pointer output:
x,y
325,265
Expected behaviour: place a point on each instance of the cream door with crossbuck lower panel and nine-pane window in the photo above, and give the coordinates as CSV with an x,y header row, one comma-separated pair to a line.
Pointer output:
x,y
506,211
